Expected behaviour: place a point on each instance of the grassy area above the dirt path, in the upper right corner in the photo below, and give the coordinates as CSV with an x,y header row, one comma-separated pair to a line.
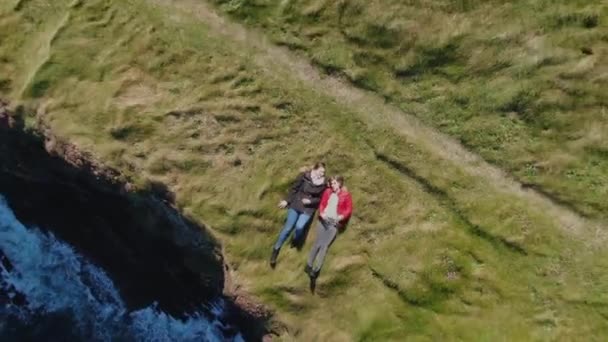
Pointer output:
x,y
522,83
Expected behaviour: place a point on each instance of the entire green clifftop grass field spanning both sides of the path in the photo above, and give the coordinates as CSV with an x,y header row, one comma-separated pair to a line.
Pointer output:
x,y
434,250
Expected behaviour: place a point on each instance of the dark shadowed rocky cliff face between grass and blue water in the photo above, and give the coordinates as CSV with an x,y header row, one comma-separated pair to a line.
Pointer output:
x,y
151,252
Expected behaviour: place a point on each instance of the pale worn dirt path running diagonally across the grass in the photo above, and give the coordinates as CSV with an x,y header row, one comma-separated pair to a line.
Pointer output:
x,y
375,111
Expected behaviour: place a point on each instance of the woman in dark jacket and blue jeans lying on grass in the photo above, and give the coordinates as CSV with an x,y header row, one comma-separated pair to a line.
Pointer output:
x,y
302,202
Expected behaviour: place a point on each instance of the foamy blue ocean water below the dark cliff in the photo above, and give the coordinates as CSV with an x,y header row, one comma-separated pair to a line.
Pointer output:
x,y
50,292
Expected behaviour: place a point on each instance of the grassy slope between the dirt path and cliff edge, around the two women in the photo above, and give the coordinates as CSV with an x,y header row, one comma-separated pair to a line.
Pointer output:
x,y
151,91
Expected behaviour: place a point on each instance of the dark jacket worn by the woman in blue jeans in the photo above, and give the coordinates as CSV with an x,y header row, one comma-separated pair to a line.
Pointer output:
x,y
302,188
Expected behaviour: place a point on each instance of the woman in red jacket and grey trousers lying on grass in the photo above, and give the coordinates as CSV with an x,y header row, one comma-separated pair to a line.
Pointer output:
x,y
335,209
